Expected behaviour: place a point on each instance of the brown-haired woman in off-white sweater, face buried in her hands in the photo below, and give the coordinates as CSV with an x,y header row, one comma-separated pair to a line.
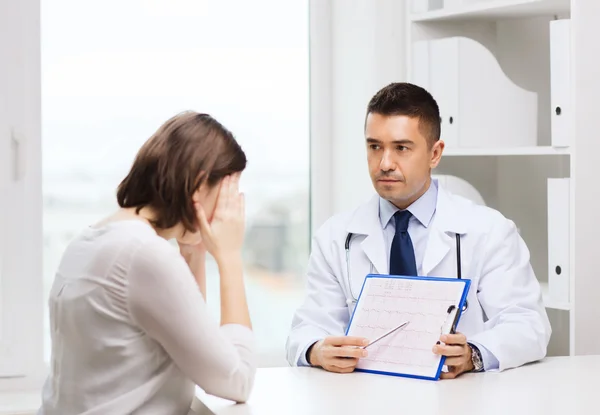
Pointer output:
x,y
131,333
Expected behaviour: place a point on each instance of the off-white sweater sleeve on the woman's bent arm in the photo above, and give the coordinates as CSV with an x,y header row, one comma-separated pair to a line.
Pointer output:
x,y
165,301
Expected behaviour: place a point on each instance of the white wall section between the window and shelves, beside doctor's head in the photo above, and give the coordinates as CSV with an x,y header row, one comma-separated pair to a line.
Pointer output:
x,y
357,53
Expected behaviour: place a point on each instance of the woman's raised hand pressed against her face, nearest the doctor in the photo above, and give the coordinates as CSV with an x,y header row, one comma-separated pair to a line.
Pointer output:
x,y
223,237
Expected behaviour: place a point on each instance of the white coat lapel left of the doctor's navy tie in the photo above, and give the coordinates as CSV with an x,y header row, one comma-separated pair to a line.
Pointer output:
x,y
366,222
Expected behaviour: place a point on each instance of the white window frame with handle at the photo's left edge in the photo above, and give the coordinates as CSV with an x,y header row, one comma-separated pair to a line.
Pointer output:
x,y
21,283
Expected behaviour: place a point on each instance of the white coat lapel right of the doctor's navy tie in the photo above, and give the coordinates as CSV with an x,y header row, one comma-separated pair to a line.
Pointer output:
x,y
447,222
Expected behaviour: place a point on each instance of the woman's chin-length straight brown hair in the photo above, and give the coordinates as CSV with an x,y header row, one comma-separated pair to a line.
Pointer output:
x,y
186,151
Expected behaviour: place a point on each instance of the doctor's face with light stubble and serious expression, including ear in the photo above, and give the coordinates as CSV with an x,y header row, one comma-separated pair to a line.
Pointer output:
x,y
400,157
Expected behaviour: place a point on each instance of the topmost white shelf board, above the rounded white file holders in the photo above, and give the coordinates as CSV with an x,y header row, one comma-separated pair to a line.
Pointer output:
x,y
496,9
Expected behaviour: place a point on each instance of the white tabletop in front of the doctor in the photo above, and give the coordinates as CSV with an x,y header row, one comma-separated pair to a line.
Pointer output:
x,y
560,385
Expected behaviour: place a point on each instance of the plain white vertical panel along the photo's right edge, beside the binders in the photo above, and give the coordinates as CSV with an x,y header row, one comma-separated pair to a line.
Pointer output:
x,y
585,314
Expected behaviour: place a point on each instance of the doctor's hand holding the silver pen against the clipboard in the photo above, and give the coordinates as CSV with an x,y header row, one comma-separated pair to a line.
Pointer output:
x,y
338,354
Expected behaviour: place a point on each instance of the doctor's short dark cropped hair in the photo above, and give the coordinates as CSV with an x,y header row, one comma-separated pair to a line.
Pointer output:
x,y
402,98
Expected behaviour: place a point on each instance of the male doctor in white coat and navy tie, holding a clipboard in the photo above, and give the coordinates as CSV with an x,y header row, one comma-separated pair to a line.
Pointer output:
x,y
415,227
